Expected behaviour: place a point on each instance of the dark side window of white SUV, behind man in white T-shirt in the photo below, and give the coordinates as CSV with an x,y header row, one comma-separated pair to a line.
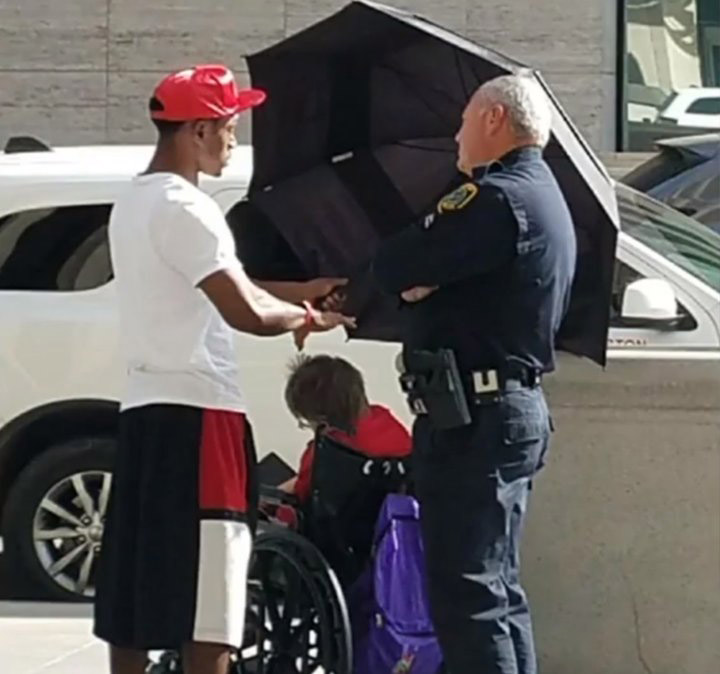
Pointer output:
x,y
55,249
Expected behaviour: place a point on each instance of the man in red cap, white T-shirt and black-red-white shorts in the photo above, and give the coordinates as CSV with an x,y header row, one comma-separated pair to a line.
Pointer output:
x,y
178,534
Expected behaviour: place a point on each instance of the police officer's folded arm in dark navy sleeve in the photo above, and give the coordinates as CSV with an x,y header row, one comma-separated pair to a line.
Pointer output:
x,y
477,238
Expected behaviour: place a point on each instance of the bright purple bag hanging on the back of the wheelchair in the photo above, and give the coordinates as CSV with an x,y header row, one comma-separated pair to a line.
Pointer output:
x,y
392,629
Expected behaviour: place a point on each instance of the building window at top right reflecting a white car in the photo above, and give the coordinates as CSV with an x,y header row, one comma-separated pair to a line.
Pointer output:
x,y
671,77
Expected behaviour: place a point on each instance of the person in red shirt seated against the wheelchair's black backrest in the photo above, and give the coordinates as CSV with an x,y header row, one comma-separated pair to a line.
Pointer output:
x,y
353,461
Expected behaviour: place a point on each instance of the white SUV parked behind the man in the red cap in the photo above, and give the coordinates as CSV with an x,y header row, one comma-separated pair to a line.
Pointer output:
x,y
60,373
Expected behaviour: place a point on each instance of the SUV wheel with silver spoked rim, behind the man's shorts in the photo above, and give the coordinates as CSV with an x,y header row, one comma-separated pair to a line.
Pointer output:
x,y
72,480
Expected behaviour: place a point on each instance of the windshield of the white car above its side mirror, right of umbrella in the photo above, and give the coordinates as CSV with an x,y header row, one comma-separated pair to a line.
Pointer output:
x,y
688,243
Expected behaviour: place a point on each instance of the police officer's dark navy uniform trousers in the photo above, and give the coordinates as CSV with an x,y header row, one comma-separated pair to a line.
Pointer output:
x,y
473,484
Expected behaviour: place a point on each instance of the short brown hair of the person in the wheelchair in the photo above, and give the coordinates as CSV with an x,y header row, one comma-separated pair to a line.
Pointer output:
x,y
326,390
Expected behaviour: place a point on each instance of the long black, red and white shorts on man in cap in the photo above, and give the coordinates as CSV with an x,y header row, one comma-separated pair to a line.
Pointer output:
x,y
178,537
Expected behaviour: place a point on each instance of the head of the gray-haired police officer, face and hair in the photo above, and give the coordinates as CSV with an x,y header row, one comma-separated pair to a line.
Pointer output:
x,y
506,112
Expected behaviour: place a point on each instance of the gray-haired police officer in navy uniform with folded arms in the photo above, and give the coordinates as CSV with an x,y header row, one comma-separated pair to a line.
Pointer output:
x,y
486,281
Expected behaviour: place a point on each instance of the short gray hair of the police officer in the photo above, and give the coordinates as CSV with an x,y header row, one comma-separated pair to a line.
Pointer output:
x,y
526,102
